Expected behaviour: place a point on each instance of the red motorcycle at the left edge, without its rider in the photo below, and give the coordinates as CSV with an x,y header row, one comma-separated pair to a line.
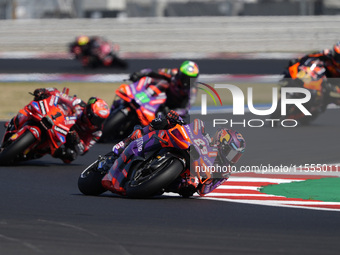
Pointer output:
x,y
40,128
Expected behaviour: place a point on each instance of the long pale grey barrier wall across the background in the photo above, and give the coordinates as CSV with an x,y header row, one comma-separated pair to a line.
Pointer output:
x,y
177,35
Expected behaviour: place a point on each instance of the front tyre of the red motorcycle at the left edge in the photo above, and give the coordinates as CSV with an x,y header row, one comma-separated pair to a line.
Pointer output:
x,y
9,153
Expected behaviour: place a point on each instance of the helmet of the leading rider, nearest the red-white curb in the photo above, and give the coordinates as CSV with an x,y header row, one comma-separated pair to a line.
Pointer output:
x,y
230,144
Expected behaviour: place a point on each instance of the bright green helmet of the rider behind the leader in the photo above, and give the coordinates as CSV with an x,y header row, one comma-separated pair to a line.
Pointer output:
x,y
188,72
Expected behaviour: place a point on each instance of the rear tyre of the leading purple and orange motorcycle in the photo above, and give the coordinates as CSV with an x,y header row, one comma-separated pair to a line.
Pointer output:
x,y
90,181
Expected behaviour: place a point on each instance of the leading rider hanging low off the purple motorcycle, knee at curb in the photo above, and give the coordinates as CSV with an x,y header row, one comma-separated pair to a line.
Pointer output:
x,y
229,144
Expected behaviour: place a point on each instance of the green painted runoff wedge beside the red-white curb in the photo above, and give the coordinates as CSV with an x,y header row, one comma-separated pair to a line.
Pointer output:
x,y
325,189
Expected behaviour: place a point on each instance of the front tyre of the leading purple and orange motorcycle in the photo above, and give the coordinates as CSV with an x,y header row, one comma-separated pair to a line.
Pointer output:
x,y
143,184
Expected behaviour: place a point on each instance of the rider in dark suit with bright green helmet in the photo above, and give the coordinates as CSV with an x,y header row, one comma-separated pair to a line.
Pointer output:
x,y
179,84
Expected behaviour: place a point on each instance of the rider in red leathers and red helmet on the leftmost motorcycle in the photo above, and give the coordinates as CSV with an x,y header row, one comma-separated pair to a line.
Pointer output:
x,y
87,129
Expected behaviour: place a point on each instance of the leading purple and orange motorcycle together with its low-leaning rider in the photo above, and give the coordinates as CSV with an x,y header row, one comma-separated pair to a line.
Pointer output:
x,y
179,160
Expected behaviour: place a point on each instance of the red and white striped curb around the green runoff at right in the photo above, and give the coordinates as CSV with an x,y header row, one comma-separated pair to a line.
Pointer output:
x,y
244,188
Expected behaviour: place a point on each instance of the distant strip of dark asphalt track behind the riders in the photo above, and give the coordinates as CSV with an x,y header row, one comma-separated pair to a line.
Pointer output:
x,y
207,66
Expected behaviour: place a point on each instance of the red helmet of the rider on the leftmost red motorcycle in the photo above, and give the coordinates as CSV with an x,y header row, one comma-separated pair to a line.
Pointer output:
x,y
96,111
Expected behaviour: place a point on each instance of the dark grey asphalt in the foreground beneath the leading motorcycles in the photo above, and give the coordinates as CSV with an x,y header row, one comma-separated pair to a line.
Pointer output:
x,y
42,211
